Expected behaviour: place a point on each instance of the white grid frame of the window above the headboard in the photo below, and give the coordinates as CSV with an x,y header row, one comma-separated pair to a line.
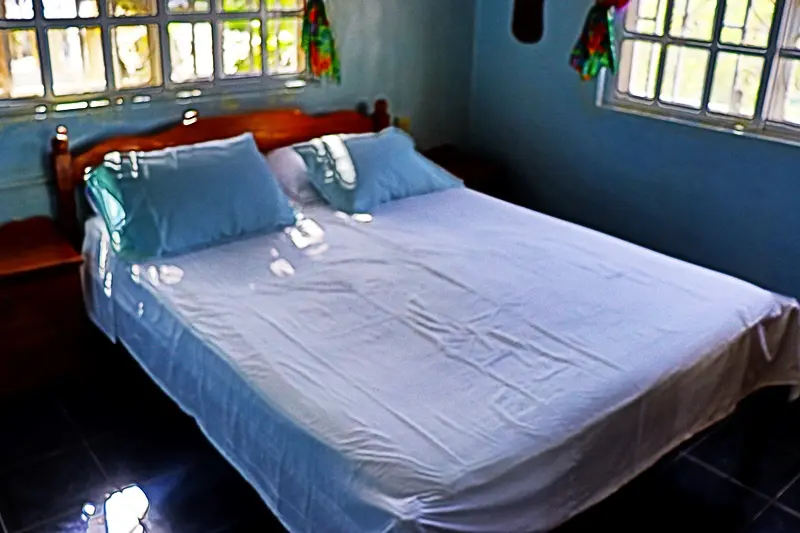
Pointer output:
x,y
221,84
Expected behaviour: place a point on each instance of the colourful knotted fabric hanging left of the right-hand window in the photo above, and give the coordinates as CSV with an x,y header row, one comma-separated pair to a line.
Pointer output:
x,y
595,48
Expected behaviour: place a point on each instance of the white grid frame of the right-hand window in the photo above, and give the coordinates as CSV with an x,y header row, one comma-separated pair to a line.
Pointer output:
x,y
770,91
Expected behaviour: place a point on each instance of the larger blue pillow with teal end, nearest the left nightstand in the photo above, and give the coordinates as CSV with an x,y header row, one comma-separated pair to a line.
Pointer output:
x,y
179,199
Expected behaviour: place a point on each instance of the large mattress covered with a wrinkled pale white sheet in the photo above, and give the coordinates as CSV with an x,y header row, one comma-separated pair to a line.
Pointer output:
x,y
455,364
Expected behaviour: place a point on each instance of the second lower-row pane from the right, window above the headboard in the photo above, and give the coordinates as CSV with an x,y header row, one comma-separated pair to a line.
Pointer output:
x,y
241,47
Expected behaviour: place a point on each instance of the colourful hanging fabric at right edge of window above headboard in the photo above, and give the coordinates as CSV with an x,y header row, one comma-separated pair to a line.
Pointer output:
x,y
319,44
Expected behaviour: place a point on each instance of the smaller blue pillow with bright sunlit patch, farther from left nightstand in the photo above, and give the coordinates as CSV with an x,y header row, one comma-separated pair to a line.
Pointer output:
x,y
357,173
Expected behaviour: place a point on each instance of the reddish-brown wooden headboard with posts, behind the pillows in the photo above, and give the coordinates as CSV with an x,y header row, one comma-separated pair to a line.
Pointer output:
x,y
272,129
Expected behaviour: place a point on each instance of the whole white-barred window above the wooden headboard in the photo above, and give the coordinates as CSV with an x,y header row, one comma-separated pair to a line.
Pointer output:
x,y
87,53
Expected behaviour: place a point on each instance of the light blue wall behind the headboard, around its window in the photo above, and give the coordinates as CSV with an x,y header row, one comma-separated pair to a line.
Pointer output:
x,y
415,52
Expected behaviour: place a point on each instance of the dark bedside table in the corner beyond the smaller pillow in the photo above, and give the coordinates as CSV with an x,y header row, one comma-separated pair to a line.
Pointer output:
x,y
476,172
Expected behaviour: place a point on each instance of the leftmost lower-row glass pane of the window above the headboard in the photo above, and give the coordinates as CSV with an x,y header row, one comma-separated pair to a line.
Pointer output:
x,y
20,70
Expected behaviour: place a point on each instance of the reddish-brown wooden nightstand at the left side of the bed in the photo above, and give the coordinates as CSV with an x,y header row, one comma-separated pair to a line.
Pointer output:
x,y
43,325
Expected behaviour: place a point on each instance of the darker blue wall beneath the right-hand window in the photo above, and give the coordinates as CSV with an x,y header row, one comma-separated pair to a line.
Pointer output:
x,y
714,199
